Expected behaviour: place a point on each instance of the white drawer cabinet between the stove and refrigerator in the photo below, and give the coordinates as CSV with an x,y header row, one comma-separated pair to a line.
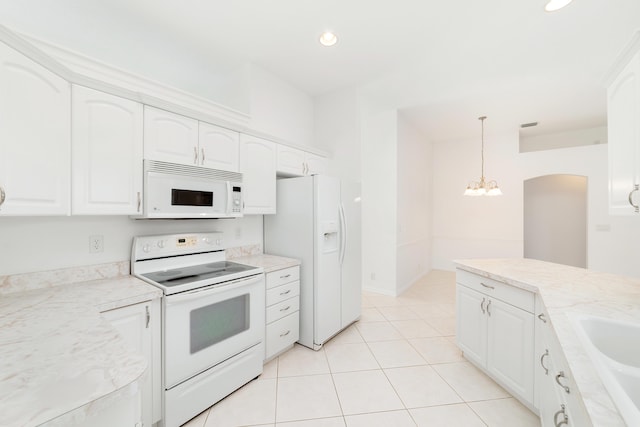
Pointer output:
x,y
282,310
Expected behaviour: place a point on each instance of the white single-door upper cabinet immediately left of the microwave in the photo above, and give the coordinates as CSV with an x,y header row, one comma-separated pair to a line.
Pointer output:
x,y
106,153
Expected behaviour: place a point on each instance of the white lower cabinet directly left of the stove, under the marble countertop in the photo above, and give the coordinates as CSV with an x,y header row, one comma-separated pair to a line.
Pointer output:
x,y
139,326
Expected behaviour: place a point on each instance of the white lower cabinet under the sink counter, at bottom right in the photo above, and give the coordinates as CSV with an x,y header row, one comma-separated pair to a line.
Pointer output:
x,y
556,392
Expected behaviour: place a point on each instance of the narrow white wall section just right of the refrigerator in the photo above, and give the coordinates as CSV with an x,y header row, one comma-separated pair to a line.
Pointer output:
x,y
379,183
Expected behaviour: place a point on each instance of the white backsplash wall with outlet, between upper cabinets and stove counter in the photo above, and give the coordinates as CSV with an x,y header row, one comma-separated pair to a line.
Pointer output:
x,y
47,243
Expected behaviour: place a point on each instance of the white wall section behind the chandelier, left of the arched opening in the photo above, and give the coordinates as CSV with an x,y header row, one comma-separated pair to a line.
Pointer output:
x,y
476,227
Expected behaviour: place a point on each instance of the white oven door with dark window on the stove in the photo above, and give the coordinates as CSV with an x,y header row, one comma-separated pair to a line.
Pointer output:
x,y
204,327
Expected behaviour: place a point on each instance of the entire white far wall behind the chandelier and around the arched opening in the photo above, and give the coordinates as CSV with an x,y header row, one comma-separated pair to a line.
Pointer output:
x,y
483,227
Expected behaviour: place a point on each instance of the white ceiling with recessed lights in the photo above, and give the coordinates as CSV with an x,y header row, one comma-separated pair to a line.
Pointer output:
x,y
443,62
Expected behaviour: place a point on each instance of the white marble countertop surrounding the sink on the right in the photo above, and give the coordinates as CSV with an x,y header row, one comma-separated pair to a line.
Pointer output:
x,y
566,291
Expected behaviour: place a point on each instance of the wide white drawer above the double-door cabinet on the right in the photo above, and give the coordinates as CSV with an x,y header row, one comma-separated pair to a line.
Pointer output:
x,y
507,293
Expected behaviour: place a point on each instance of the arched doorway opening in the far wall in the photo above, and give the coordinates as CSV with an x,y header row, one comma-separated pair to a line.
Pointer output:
x,y
555,219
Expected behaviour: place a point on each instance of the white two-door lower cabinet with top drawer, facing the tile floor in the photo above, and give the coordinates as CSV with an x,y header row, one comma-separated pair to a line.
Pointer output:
x,y
495,331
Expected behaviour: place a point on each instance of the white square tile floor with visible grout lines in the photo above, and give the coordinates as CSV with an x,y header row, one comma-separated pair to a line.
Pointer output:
x,y
397,366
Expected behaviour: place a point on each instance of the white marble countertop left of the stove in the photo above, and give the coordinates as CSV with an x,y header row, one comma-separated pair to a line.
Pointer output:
x,y
58,354
